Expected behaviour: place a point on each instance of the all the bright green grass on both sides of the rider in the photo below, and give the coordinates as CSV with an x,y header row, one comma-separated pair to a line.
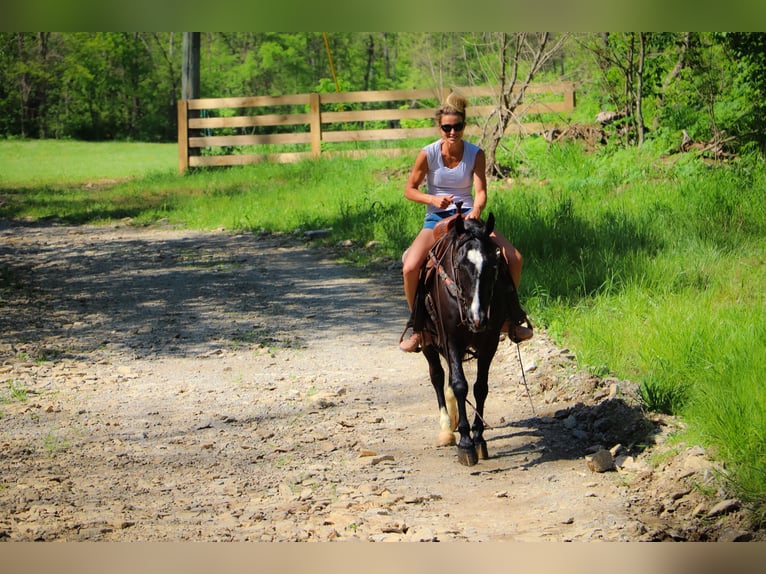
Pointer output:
x,y
651,268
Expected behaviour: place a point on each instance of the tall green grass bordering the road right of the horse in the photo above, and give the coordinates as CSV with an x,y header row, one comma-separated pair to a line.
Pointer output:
x,y
654,272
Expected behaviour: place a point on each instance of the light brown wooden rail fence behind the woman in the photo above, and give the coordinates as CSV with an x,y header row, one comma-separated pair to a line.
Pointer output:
x,y
208,128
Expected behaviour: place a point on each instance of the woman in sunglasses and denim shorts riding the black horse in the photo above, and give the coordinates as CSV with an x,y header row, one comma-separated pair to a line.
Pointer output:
x,y
451,168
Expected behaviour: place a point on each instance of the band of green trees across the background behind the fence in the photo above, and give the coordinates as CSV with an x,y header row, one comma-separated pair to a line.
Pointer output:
x,y
124,85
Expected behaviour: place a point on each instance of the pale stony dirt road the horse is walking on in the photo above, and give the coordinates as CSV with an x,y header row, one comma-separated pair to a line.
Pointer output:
x,y
173,385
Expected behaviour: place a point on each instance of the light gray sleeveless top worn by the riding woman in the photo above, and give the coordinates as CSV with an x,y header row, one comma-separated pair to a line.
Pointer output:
x,y
457,181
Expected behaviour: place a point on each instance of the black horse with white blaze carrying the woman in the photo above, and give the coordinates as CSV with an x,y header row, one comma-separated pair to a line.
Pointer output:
x,y
463,300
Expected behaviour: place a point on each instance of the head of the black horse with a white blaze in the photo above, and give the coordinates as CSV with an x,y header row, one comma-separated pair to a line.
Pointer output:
x,y
476,269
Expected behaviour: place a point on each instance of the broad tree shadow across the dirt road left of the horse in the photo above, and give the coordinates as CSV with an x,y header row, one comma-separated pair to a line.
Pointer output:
x,y
72,290
